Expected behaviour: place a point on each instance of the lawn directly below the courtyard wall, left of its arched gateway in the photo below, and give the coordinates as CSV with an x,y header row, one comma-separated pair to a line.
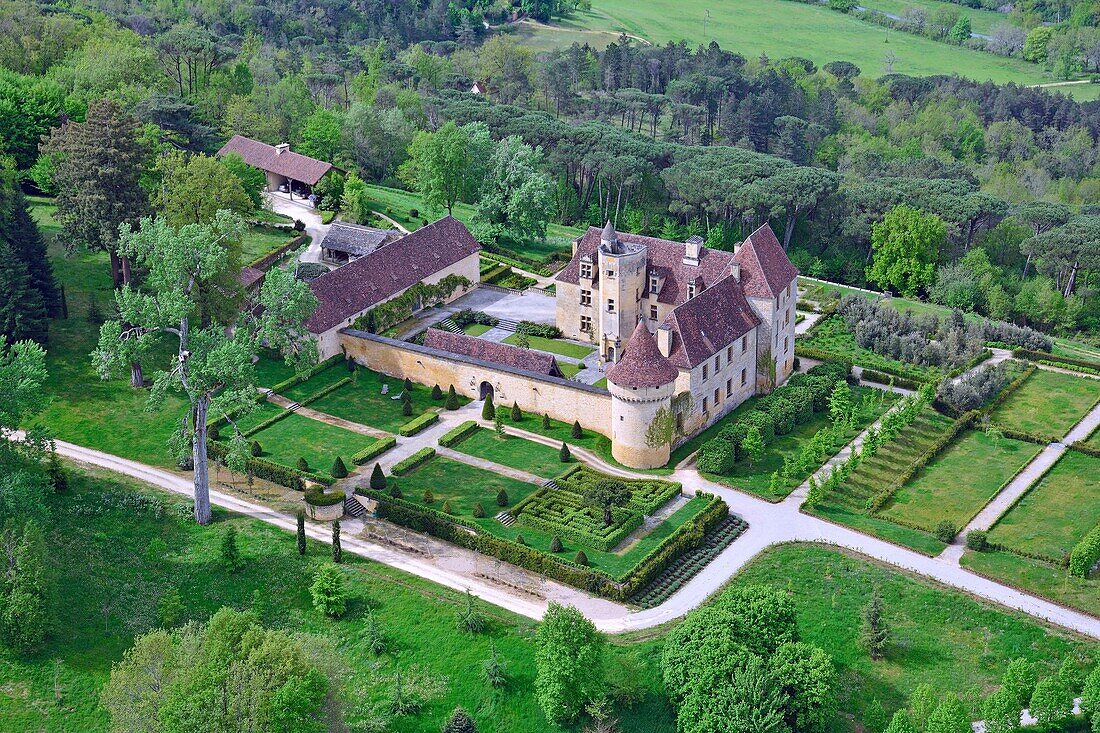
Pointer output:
x,y
362,401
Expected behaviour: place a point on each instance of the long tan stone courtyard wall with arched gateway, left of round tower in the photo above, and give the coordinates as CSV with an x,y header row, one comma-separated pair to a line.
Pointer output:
x,y
562,400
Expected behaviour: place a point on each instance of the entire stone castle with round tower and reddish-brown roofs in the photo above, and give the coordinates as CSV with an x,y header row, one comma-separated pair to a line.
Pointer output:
x,y
688,333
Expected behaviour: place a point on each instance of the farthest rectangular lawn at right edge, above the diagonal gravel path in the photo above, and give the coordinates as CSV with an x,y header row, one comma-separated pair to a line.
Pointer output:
x,y
1049,404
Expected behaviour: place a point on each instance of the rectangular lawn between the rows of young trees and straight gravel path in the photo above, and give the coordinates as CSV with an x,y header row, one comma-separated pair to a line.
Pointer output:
x,y
961,480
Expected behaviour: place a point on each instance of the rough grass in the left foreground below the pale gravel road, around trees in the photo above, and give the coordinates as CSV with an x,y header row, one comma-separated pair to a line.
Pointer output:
x,y
128,560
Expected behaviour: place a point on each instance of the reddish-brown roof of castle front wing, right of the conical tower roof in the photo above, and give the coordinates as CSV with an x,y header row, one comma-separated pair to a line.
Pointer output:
x,y
709,323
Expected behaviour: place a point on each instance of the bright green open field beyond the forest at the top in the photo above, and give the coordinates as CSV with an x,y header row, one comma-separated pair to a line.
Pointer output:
x,y
785,29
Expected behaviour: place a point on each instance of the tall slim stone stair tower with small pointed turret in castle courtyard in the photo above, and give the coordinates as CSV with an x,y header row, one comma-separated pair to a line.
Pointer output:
x,y
622,275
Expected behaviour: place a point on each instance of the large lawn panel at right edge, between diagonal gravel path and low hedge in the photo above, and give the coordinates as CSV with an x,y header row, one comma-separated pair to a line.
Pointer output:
x,y
1057,512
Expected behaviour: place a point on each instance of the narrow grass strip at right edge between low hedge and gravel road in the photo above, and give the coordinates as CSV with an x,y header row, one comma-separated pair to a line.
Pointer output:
x,y
1038,577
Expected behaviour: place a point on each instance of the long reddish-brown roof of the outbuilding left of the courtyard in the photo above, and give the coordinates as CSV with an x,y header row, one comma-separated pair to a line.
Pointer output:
x,y
387,272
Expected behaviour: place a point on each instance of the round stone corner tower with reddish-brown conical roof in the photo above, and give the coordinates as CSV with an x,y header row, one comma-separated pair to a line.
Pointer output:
x,y
642,385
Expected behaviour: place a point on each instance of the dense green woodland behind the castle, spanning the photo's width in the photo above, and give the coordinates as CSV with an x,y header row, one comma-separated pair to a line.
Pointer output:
x,y
994,188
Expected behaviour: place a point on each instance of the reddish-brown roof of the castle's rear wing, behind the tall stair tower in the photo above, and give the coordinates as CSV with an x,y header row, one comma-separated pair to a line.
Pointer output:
x,y
665,258
